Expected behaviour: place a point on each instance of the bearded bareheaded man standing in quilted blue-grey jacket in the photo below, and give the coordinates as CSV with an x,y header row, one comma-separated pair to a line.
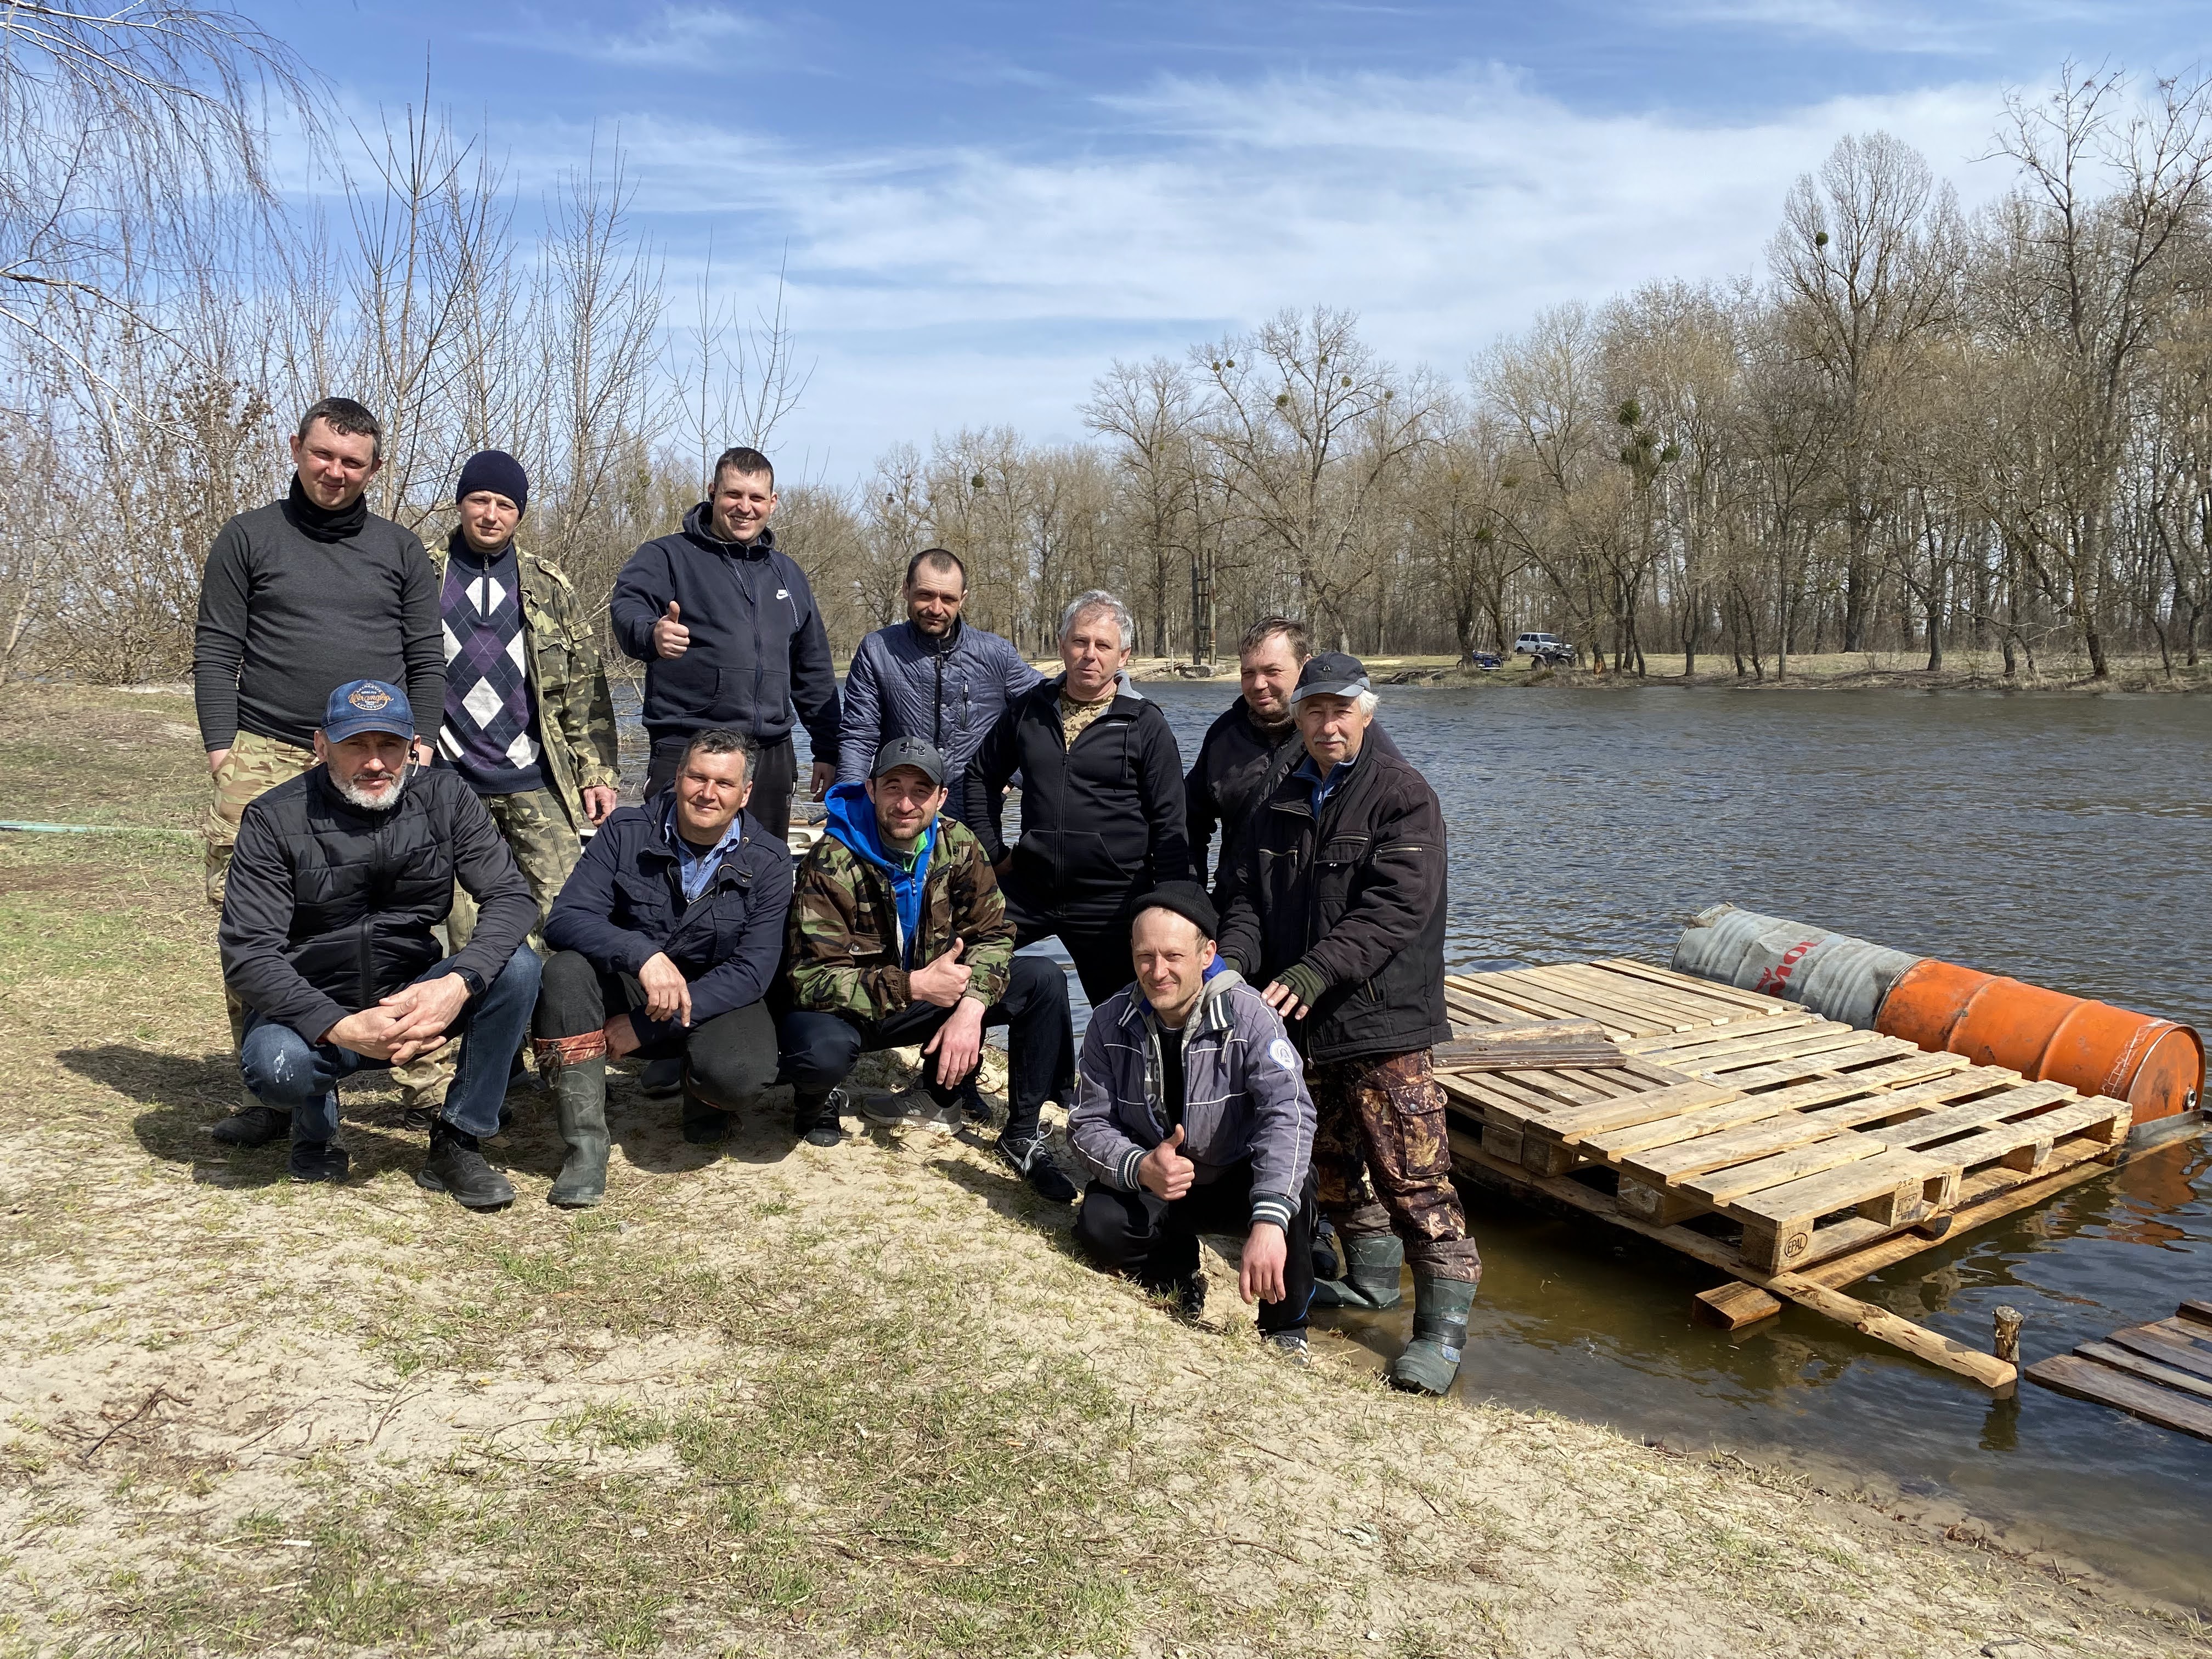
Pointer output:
x,y
932,676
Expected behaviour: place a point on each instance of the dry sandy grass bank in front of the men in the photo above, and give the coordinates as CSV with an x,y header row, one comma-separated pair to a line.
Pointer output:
x,y
778,1401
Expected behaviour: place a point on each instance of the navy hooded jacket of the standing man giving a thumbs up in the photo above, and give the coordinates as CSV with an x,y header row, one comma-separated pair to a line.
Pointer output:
x,y
758,640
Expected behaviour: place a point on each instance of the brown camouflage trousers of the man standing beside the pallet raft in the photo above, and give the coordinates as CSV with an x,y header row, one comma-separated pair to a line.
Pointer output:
x,y
1384,1118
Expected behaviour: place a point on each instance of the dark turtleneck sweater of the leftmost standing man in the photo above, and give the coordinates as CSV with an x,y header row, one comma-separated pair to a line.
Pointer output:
x,y
295,603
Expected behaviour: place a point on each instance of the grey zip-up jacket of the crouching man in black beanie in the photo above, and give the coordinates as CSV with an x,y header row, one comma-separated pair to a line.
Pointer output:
x,y
1244,1094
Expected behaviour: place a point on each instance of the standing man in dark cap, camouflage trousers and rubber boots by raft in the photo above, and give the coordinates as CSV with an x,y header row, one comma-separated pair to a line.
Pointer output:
x,y
1337,908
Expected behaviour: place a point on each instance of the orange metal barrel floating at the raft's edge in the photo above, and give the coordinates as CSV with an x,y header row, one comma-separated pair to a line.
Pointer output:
x,y
2091,1047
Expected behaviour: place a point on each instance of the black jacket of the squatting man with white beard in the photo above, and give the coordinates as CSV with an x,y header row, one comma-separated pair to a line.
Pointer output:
x,y
328,908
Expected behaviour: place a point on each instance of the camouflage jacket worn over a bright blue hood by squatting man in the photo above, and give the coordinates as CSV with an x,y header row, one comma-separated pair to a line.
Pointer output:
x,y
842,939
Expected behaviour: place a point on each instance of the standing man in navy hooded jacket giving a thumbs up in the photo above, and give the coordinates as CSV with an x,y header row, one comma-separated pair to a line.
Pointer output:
x,y
731,638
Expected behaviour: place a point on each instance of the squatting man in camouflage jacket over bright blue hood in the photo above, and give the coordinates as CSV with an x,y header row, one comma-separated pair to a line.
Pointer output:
x,y
899,937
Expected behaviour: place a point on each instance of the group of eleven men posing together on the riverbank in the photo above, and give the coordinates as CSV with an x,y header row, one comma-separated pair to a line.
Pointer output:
x,y
419,857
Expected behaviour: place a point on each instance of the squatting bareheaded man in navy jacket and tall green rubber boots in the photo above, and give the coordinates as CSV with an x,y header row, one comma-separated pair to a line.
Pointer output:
x,y
667,939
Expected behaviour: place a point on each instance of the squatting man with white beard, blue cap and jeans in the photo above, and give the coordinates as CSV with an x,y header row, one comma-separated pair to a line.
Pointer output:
x,y
337,881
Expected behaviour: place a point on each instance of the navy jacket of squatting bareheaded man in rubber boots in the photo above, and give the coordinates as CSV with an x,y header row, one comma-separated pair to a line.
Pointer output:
x,y
625,904
